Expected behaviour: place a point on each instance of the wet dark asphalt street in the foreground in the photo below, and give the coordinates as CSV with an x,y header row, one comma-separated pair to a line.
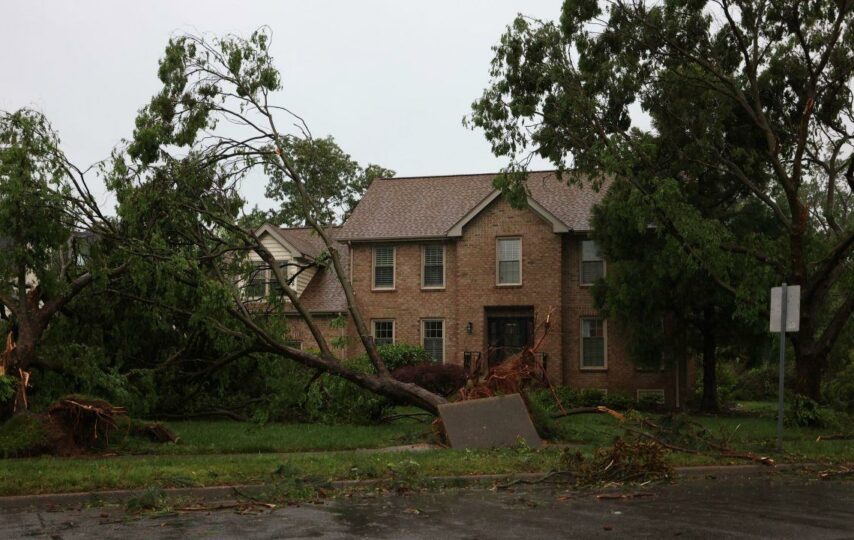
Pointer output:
x,y
763,507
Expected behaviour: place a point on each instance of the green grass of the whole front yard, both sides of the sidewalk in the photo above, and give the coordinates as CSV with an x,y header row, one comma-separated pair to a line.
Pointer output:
x,y
220,453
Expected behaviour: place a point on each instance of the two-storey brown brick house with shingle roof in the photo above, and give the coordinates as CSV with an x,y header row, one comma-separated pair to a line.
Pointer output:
x,y
447,263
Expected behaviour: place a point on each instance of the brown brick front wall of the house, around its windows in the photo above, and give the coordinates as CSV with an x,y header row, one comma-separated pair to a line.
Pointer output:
x,y
550,279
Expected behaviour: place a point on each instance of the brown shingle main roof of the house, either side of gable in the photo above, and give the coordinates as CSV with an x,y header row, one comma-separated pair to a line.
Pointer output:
x,y
427,207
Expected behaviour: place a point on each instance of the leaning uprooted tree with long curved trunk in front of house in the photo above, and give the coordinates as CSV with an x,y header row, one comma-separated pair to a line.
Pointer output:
x,y
210,128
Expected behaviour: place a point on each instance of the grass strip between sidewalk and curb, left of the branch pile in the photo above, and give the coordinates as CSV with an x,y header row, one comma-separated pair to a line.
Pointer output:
x,y
55,475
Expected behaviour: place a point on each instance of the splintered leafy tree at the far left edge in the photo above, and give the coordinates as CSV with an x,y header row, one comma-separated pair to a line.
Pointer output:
x,y
48,220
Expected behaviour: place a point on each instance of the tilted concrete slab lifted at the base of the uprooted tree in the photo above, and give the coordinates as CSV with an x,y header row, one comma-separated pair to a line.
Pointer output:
x,y
489,423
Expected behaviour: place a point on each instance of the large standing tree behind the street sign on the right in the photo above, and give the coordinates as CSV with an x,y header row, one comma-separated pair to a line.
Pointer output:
x,y
754,95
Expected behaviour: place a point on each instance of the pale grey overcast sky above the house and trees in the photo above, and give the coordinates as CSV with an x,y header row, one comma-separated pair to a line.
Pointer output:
x,y
390,80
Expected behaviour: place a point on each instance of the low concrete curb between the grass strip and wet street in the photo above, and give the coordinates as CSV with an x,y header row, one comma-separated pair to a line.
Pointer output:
x,y
58,501
